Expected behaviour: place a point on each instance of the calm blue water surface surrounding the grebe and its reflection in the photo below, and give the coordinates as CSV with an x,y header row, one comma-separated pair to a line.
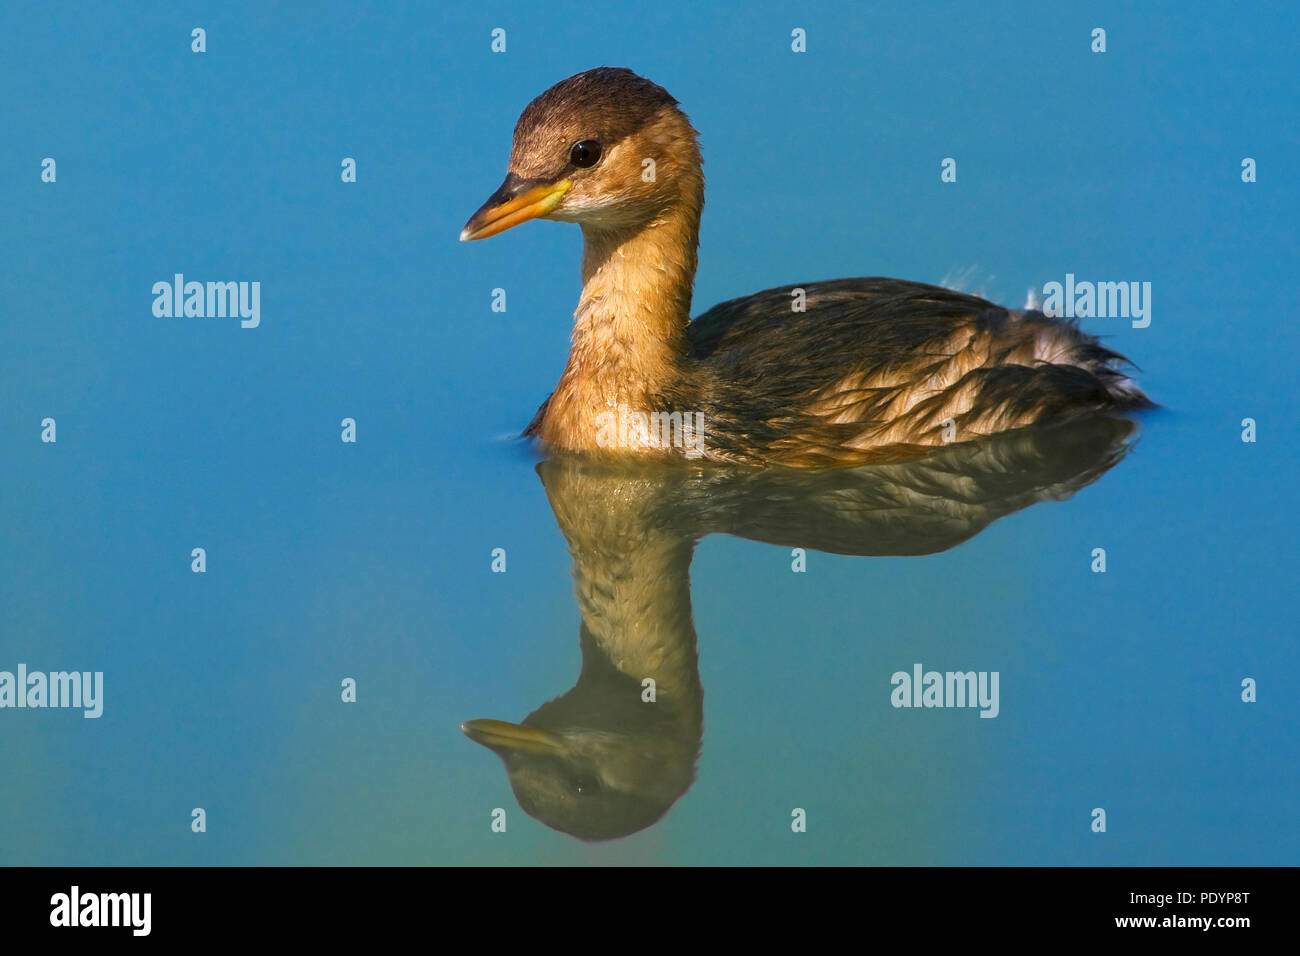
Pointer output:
x,y
374,560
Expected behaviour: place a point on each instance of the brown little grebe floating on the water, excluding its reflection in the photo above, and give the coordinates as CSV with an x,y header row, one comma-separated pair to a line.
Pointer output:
x,y
872,370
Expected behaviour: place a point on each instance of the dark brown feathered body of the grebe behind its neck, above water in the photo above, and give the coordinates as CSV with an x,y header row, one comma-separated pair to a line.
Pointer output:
x,y
879,369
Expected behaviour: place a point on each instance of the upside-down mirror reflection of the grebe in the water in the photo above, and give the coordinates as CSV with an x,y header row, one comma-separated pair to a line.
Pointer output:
x,y
600,762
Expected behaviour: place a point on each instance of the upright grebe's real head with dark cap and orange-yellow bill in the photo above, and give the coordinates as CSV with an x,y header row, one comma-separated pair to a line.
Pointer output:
x,y
605,149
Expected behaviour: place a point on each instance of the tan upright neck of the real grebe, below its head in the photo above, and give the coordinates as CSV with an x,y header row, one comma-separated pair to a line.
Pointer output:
x,y
630,328
